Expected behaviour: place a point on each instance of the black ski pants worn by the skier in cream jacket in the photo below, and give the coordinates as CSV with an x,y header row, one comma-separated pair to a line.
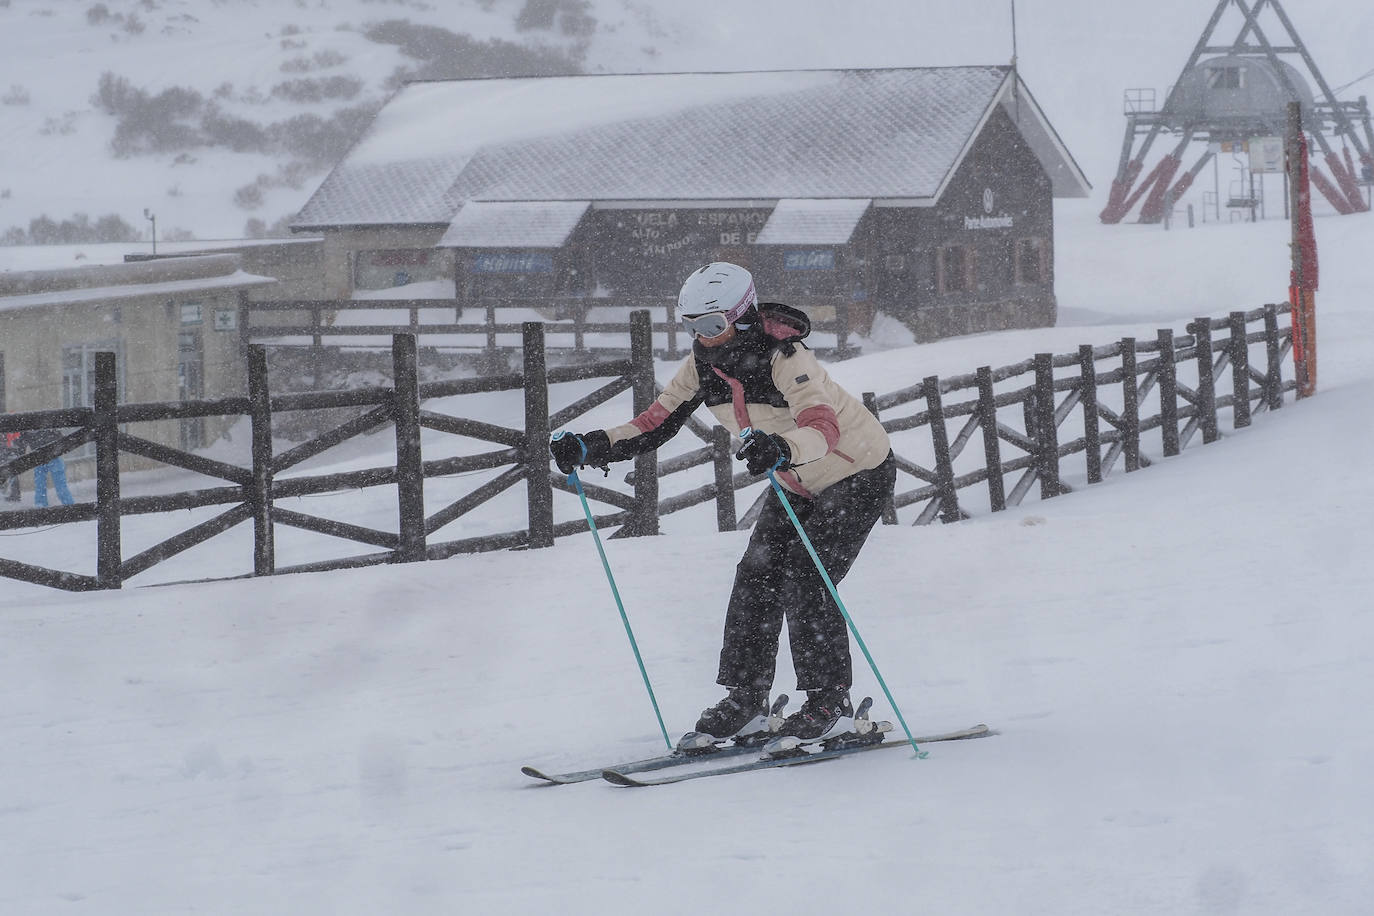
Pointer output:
x,y
777,579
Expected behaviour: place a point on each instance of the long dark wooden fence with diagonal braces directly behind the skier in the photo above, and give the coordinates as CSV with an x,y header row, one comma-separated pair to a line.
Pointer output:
x,y
1108,399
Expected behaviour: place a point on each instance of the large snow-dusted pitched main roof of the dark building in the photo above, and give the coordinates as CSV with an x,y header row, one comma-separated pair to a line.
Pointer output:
x,y
689,137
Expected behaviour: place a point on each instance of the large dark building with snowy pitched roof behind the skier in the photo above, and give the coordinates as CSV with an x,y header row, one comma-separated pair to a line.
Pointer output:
x,y
921,193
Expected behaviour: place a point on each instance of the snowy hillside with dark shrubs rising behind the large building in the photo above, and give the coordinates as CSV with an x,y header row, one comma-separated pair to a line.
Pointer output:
x,y
222,116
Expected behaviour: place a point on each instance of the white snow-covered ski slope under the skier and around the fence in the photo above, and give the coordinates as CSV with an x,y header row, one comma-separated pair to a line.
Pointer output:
x,y
1177,660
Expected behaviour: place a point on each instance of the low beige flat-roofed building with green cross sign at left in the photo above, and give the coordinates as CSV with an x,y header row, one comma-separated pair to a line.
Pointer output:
x,y
171,322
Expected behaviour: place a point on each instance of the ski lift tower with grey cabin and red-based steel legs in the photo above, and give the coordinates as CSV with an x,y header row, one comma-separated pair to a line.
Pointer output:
x,y
1239,100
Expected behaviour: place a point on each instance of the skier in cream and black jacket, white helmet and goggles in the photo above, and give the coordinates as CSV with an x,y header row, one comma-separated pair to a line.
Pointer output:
x,y
828,451
